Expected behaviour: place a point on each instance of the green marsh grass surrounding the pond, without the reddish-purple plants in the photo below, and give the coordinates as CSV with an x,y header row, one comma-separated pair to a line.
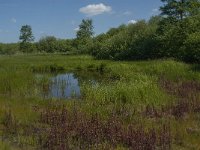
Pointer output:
x,y
134,85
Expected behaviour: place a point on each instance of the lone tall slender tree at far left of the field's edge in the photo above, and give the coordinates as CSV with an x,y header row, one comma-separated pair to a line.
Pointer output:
x,y
26,37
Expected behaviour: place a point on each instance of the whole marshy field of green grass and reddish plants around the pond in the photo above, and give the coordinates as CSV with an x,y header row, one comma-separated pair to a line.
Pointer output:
x,y
138,105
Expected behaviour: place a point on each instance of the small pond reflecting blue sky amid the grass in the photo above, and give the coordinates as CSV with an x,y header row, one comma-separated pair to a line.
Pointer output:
x,y
63,86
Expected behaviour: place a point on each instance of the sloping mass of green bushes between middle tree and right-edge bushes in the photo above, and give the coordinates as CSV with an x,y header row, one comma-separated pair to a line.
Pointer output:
x,y
126,42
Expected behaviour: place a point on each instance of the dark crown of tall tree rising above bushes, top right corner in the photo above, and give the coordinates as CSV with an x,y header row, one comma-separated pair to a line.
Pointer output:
x,y
180,9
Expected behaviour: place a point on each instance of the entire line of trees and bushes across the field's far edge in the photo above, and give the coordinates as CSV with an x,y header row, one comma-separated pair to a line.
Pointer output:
x,y
175,33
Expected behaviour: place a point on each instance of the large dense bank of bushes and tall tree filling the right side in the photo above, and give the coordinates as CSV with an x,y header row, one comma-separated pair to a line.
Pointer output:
x,y
174,34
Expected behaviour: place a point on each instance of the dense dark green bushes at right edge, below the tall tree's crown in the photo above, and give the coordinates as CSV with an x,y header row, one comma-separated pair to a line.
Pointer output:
x,y
179,39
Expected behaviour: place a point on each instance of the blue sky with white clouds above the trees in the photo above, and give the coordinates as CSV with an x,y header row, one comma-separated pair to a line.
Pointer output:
x,y
61,18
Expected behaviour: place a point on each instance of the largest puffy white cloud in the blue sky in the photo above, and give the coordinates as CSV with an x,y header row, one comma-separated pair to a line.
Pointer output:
x,y
95,9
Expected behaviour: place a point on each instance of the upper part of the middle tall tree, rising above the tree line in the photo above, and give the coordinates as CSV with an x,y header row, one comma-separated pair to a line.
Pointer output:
x,y
85,29
